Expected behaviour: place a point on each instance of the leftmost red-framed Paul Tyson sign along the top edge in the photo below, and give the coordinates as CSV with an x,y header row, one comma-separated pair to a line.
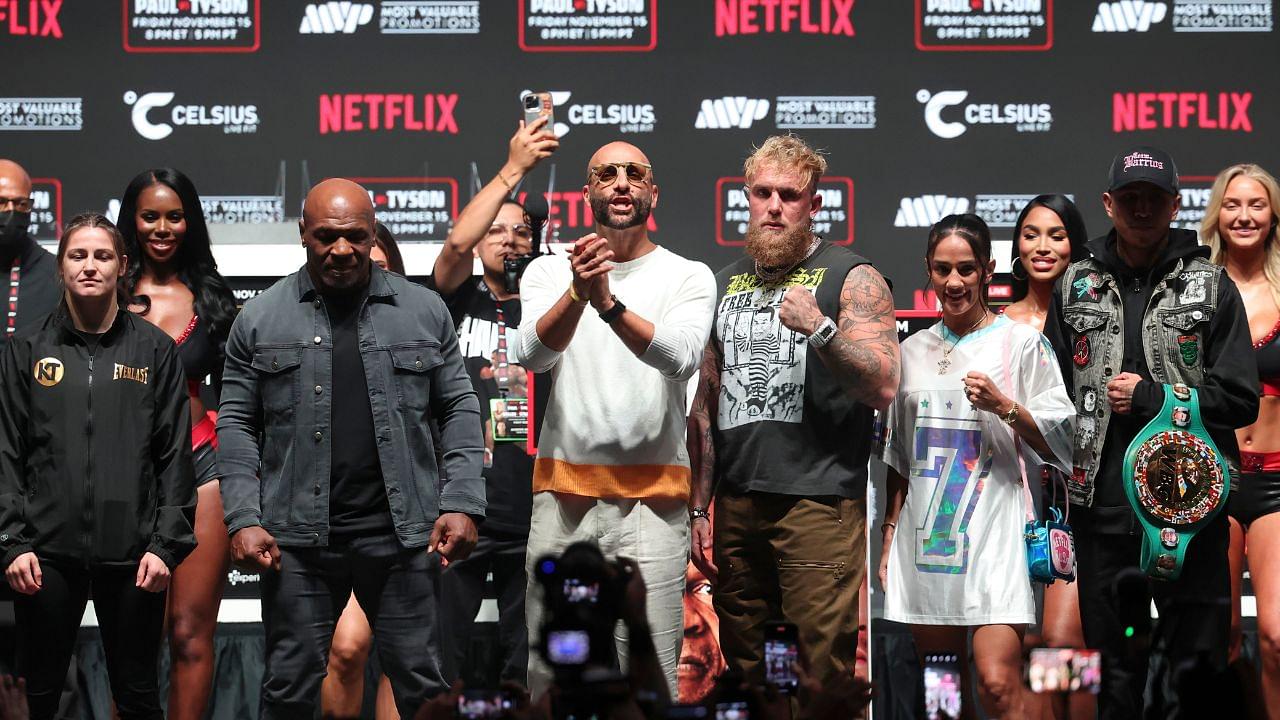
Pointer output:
x,y
193,26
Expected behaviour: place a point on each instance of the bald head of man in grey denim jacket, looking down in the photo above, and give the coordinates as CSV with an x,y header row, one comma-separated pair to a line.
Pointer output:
x,y
339,233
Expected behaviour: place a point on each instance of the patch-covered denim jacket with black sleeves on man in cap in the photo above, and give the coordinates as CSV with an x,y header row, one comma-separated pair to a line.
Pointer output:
x,y
1192,331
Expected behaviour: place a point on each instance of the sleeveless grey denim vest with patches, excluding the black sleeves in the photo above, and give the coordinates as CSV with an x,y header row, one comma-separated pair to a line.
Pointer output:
x,y
1174,329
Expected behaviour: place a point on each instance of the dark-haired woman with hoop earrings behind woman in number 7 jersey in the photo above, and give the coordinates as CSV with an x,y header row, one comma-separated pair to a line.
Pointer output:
x,y
1048,238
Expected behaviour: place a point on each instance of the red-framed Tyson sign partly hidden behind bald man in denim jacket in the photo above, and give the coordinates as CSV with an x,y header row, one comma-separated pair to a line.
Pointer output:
x,y
414,208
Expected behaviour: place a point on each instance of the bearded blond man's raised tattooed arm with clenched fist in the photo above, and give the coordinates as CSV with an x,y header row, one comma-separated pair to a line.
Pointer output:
x,y
863,357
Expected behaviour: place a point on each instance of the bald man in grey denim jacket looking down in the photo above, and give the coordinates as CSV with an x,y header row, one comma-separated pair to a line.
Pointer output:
x,y
330,477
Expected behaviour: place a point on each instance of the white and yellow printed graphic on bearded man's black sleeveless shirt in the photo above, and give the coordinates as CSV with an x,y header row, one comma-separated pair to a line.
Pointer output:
x,y
765,362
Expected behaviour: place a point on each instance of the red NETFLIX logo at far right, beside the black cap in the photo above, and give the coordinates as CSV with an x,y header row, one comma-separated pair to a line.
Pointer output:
x,y
1182,111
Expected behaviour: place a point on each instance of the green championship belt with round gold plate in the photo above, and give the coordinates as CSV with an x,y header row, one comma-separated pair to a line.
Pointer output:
x,y
1176,480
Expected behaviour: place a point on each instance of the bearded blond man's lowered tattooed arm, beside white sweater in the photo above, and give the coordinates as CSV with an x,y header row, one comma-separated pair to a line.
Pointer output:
x,y
702,458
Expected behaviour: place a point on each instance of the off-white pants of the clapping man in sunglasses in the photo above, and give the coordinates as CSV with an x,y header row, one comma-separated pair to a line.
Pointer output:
x,y
652,532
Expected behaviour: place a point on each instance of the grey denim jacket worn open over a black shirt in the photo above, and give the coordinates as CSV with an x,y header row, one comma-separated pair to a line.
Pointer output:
x,y
275,418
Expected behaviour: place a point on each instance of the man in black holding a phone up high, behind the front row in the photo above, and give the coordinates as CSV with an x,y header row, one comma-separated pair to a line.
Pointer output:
x,y
487,313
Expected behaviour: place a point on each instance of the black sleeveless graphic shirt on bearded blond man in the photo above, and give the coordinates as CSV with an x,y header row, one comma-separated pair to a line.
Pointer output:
x,y
784,425
